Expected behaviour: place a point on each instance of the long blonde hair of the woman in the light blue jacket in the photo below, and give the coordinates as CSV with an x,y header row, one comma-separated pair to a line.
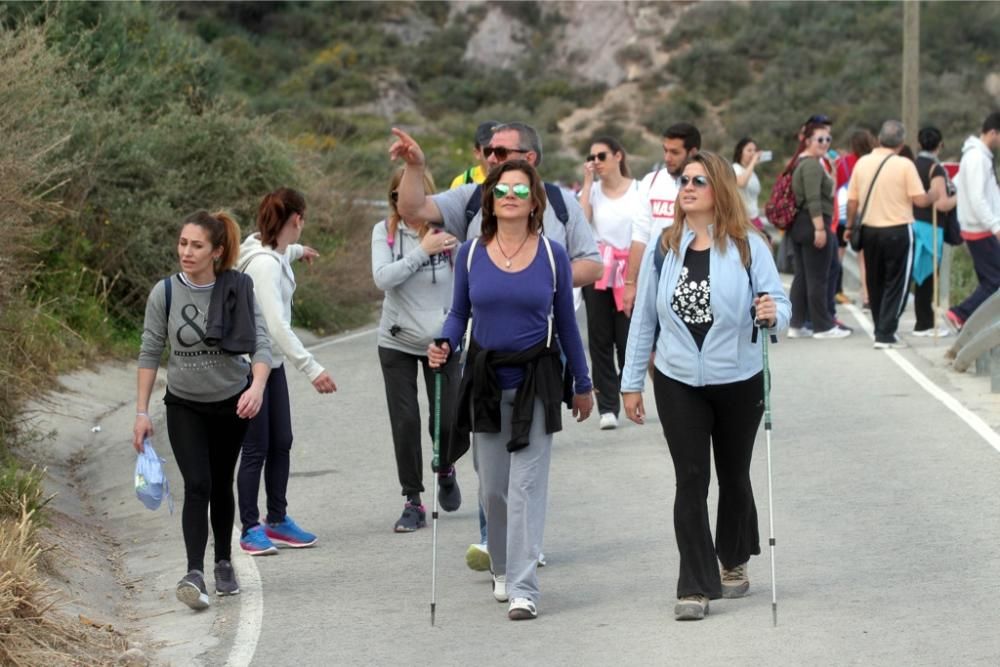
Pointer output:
x,y
730,217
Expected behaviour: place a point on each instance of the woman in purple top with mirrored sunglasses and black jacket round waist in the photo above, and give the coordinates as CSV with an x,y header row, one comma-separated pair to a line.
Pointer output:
x,y
517,287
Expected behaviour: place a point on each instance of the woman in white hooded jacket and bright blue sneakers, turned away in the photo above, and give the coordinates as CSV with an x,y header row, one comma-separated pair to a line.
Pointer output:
x,y
266,256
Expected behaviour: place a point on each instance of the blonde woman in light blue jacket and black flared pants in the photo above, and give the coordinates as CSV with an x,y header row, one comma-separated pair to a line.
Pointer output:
x,y
700,290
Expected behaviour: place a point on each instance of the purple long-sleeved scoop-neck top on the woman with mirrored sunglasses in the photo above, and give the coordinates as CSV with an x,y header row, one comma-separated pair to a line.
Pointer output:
x,y
512,309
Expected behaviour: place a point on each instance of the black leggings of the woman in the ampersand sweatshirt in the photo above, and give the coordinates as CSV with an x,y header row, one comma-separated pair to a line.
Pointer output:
x,y
205,438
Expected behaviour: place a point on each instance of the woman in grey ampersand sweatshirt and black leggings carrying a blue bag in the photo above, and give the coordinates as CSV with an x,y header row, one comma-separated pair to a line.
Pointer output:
x,y
210,395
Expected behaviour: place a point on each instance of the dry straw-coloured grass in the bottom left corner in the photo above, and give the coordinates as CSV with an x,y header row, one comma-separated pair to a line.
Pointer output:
x,y
32,629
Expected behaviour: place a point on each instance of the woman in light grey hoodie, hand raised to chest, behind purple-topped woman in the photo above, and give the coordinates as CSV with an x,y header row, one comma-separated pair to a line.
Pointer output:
x,y
412,263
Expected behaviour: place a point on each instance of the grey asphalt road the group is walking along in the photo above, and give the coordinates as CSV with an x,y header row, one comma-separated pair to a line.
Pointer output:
x,y
887,521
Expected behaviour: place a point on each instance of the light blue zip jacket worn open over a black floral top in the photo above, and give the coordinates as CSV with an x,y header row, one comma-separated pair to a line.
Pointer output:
x,y
727,354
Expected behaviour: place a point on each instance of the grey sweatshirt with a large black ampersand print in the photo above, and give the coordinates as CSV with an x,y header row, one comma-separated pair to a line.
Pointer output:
x,y
195,371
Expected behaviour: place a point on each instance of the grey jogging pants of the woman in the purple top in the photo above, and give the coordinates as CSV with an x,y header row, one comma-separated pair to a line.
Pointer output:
x,y
514,488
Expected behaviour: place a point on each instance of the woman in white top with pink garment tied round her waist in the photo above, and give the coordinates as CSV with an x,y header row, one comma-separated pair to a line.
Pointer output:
x,y
610,199
